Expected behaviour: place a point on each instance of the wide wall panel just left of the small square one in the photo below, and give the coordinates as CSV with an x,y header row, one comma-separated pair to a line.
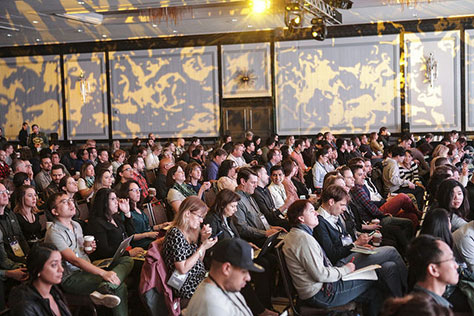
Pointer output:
x,y
170,92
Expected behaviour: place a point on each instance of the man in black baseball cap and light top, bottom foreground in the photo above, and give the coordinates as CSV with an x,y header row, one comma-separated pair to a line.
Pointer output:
x,y
219,294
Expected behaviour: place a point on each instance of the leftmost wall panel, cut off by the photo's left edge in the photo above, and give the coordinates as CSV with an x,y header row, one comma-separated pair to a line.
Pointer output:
x,y
30,90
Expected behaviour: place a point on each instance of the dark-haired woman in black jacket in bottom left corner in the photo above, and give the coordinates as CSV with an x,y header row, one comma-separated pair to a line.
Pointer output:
x,y
41,295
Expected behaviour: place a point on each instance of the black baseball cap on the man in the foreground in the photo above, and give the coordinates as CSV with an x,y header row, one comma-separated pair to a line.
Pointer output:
x,y
237,252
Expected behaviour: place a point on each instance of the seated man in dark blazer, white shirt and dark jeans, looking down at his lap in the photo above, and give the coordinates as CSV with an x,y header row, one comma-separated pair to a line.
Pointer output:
x,y
337,243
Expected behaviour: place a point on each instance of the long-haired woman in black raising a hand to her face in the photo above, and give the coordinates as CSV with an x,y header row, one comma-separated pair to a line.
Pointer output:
x,y
108,227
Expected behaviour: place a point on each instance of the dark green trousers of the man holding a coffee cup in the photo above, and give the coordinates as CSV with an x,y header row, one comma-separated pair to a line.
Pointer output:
x,y
84,283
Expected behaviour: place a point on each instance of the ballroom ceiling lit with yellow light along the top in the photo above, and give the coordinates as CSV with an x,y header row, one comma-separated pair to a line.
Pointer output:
x,y
33,22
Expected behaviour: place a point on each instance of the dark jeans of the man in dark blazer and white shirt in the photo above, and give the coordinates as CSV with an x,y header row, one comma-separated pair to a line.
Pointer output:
x,y
393,274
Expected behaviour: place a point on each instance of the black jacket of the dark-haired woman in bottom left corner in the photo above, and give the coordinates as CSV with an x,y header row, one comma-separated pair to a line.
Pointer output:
x,y
26,301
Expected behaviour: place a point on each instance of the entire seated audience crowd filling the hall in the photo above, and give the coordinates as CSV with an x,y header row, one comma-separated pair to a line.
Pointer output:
x,y
215,229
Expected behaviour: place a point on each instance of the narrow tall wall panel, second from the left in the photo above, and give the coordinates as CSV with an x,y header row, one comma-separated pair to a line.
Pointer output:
x,y
86,96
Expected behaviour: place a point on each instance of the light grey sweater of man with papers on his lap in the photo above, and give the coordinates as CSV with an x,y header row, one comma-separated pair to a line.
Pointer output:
x,y
305,260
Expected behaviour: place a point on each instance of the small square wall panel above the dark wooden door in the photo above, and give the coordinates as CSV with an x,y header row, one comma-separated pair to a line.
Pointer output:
x,y
246,70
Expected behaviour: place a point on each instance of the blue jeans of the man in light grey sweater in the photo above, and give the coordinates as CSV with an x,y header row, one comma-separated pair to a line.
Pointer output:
x,y
342,292
